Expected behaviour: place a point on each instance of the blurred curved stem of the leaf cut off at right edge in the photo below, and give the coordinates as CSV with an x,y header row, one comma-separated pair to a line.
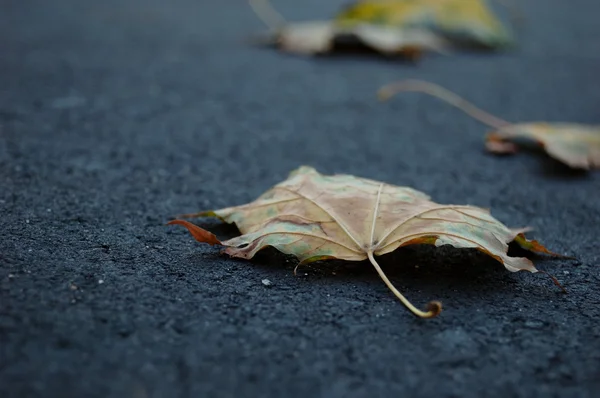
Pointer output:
x,y
391,89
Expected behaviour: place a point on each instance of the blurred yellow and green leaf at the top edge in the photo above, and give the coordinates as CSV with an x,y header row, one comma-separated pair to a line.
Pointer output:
x,y
469,22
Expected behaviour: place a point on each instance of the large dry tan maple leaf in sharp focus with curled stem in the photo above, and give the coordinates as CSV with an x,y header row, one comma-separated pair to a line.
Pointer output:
x,y
318,217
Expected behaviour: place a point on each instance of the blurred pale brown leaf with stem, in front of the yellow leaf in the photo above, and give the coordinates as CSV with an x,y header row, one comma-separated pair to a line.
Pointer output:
x,y
320,37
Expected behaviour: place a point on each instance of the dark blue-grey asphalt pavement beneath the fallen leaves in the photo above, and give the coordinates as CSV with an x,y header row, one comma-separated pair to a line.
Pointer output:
x,y
117,115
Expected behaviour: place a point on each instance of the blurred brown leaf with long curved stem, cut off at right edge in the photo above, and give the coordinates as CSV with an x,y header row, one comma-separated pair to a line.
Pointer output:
x,y
575,145
